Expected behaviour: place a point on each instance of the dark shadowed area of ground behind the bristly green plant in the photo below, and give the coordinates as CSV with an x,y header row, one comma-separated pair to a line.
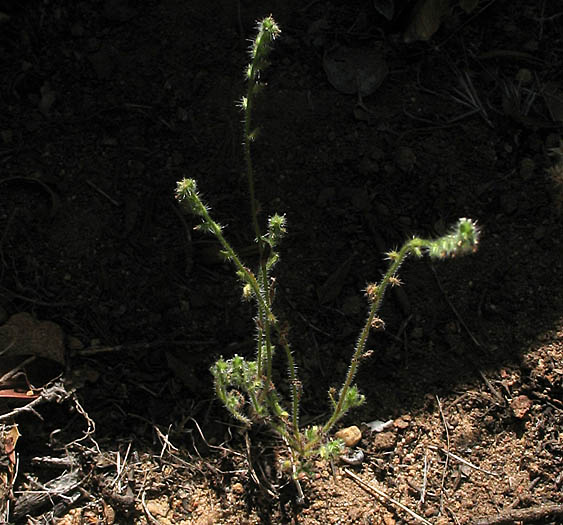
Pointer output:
x,y
106,104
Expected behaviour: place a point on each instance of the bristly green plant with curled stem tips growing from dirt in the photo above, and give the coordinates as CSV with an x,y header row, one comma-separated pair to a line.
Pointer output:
x,y
245,386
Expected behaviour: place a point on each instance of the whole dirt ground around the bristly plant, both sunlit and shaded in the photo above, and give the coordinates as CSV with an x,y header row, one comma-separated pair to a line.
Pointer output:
x,y
114,308
